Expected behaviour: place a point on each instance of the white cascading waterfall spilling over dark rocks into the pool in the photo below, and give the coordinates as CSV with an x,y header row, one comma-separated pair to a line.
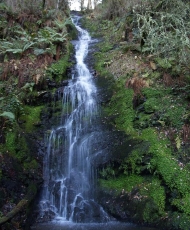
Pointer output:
x,y
68,195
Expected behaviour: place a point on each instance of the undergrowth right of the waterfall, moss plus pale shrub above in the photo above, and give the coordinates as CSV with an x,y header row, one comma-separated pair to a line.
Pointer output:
x,y
152,107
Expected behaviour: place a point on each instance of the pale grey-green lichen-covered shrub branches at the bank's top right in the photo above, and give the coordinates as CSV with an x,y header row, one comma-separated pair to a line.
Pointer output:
x,y
167,32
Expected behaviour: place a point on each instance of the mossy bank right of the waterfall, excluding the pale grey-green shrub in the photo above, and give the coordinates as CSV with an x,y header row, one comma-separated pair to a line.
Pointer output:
x,y
149,101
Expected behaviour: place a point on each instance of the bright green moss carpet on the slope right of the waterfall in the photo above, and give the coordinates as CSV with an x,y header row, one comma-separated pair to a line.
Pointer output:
x,y
163,185
